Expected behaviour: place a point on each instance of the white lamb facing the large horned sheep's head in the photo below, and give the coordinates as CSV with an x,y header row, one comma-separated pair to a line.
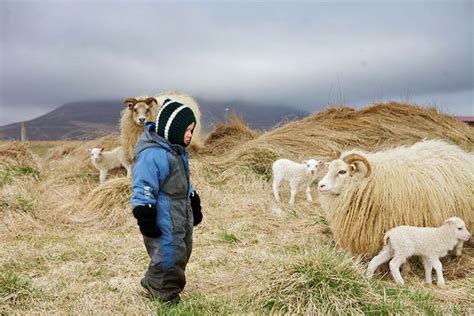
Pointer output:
x,y
296,174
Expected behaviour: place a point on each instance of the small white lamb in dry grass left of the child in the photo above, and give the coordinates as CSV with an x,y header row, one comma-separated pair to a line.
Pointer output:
x,y
106,160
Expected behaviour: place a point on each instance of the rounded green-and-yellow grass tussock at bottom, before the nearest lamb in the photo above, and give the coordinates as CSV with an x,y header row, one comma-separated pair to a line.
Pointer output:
x,y
324,280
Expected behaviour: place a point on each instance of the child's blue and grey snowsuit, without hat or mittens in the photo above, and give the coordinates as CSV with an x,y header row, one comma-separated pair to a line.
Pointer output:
x,y
161,179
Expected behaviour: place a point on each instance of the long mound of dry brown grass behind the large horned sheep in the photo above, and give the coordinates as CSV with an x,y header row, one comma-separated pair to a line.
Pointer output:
x,y
325,134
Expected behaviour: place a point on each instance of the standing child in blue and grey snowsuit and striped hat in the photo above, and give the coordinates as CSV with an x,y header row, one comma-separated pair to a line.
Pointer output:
x,y
164,202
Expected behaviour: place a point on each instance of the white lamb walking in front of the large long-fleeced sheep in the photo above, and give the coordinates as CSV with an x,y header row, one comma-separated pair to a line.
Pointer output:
x,y
431,243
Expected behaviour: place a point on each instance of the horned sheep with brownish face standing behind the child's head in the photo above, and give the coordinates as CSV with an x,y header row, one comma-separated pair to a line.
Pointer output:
x,y
145,109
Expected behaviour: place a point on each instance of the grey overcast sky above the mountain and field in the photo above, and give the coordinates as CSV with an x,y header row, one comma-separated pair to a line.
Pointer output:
x,y
305,54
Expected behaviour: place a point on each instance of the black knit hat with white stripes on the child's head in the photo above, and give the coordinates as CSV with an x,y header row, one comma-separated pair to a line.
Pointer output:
x,y
172,121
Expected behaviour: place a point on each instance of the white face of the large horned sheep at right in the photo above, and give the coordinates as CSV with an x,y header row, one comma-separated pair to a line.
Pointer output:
x,y
335,178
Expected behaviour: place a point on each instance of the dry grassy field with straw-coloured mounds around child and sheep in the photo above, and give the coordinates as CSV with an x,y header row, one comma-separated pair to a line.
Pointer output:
x,y
72,246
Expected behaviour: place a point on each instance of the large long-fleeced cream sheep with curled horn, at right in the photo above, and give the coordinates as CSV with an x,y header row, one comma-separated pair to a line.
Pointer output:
x,y
366,194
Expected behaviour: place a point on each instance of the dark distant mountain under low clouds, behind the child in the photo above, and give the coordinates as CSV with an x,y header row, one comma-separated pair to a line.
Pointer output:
x,y
92,119
